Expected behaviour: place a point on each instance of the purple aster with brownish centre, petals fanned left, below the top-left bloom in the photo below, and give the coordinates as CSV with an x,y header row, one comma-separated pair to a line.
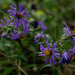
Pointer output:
x,y
14,35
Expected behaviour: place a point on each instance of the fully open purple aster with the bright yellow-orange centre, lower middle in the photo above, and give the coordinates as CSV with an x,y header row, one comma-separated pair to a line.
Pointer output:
x,y
49,53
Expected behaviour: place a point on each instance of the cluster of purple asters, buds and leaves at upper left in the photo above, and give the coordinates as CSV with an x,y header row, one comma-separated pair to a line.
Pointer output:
x,y
14,31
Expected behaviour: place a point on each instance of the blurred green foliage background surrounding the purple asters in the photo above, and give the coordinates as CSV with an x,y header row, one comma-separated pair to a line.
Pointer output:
x,y
53,13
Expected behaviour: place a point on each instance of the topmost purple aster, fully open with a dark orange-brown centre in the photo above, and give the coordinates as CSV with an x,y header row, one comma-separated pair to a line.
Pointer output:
x,y
18,15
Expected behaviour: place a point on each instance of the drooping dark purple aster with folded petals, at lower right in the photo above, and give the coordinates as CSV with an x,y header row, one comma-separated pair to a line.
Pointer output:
x,y
66,58
